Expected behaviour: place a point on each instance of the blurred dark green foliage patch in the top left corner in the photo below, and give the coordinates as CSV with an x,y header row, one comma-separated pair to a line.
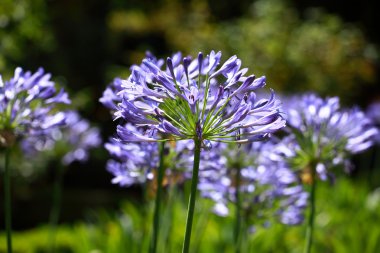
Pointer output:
x,y
25,33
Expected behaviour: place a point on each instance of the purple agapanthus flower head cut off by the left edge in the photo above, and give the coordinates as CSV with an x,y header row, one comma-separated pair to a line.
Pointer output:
x,y
27,105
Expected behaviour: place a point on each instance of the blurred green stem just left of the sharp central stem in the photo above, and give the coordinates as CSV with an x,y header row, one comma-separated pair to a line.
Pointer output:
x,y
156,216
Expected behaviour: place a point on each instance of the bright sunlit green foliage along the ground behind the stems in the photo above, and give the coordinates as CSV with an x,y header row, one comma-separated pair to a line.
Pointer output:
x,y
346,221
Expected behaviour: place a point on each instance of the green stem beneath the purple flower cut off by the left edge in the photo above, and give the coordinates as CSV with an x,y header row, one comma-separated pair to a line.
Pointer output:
x,y
7,200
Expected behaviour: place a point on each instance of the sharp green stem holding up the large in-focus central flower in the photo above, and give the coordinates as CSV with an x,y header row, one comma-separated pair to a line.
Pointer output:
x,y
193,193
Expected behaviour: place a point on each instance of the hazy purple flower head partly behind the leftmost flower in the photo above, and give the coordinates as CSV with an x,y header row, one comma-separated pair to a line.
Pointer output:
x,y
73,141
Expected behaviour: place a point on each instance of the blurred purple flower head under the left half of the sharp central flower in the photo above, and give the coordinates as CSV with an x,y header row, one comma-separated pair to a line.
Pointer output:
x,y
136,163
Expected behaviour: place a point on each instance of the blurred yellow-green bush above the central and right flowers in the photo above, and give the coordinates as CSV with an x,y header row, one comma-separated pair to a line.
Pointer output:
x,y
319,52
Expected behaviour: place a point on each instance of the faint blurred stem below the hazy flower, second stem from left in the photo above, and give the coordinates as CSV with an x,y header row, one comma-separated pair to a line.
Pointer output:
x,y
56,206
